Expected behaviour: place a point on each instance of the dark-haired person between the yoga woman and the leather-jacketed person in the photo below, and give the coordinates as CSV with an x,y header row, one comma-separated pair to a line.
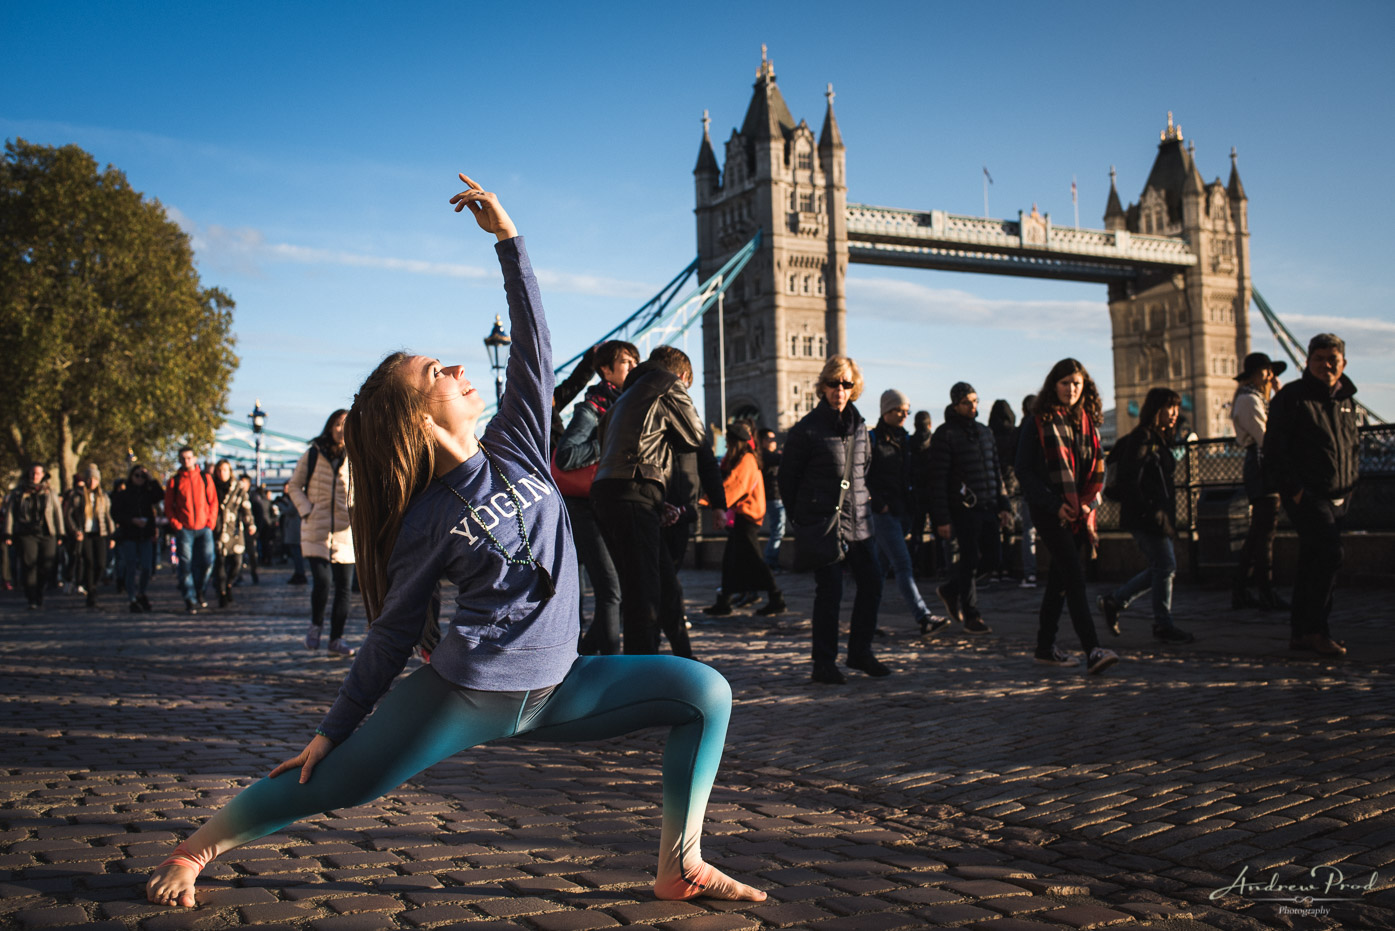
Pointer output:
x,y
578,453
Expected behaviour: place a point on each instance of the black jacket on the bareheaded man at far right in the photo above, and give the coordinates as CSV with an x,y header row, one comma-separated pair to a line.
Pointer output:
x,y
1312,443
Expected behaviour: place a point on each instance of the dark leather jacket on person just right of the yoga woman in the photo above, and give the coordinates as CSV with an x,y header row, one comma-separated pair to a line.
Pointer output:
x,y
651,422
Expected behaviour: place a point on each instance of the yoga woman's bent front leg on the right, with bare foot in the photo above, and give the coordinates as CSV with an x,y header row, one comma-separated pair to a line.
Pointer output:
x,y
610,696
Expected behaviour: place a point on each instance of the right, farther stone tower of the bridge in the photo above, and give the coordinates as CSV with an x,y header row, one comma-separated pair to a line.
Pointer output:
x,y
1186,330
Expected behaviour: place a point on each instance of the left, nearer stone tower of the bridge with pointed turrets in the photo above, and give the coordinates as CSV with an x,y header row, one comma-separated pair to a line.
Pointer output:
x,y
786,313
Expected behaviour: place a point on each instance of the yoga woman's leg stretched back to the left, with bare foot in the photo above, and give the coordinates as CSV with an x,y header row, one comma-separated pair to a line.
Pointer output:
x,y
422,722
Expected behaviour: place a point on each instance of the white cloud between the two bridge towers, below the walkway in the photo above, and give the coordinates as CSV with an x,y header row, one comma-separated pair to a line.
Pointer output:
x,y
899,301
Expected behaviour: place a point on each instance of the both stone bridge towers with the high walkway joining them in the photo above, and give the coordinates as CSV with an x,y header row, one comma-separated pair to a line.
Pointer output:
x,y
1177,266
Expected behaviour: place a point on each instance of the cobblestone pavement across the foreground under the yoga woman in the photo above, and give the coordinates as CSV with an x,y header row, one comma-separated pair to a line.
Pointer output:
x,y
969,789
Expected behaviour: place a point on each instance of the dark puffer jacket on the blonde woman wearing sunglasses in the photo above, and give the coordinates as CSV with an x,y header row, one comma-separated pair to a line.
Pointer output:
x,y
813,470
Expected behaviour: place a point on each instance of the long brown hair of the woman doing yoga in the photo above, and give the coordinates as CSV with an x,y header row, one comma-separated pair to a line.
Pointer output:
x,y
391,459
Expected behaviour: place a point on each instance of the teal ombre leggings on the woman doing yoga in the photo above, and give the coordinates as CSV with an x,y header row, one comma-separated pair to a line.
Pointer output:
x,y
426,720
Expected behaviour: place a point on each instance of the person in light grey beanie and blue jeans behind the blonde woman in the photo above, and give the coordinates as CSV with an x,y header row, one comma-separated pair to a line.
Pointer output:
x,y
889,496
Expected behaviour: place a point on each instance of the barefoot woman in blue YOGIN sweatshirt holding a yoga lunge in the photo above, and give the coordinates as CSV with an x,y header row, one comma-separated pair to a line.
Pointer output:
x,y
435,500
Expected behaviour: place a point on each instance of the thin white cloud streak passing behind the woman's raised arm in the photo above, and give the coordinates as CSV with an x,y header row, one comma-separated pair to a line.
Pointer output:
x,y
246,252
